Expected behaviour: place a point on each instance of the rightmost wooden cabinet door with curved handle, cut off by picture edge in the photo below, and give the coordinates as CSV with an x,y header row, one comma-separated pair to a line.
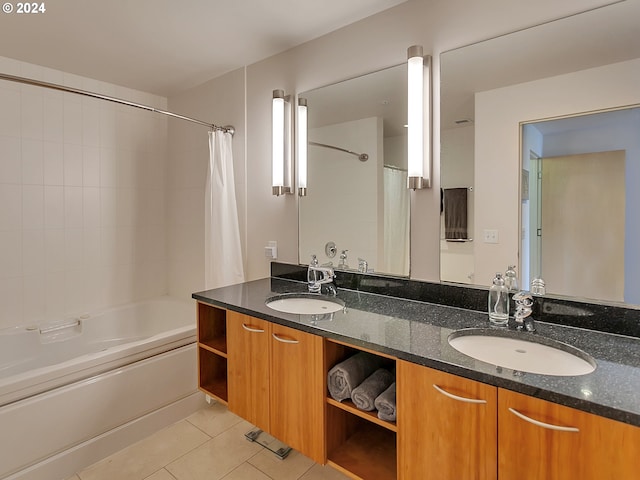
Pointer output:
x,y
540,439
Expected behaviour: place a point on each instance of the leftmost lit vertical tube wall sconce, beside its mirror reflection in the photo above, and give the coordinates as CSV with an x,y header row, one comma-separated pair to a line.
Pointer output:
x,y
281,144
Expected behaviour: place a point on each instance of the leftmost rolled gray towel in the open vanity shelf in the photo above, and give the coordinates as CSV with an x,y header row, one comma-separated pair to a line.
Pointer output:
x,y
347,375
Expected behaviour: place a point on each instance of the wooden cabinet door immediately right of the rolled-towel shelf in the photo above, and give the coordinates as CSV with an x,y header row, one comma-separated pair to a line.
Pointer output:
x,y
446,425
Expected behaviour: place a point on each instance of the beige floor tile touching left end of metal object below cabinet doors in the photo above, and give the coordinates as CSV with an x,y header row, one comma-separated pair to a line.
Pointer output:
x,y
216,458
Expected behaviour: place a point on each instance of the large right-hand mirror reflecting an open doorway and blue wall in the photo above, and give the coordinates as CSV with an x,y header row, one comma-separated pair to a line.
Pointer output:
x,y
512,109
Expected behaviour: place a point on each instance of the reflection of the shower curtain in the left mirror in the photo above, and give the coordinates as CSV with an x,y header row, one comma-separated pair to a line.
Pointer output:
x,y
396,222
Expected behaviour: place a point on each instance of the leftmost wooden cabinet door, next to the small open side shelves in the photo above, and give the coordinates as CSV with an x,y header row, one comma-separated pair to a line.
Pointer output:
x,y
248,341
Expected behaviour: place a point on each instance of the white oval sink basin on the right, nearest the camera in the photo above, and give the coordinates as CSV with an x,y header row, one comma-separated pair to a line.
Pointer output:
x,y
525,352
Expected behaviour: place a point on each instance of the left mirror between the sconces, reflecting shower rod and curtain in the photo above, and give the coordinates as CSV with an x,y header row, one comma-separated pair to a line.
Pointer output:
x,y
357,193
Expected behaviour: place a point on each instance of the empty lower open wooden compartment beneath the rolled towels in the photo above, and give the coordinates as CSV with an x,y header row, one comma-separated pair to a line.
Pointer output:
x,y
360,447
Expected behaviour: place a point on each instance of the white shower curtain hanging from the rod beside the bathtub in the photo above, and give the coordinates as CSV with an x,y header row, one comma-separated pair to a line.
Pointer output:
x,y
223,253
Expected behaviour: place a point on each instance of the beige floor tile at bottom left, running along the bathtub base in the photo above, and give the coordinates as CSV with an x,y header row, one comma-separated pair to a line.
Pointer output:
x,y
149,455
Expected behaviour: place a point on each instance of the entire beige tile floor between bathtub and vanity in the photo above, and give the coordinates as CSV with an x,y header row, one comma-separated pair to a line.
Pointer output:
x,y
210,444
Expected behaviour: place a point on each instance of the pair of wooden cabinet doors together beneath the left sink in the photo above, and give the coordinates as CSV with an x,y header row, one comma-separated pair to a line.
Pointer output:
x,y
275,381
